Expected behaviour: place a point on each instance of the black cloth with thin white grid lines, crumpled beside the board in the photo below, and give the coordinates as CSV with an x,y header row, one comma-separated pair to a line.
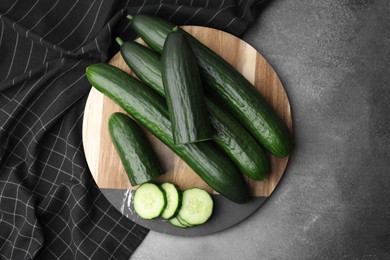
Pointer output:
x,y
50,207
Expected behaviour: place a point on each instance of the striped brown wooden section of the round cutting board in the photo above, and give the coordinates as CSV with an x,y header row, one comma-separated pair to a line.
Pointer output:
x,y
103,159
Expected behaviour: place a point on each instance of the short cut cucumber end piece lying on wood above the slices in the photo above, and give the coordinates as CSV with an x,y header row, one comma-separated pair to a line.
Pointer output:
x,y
137,156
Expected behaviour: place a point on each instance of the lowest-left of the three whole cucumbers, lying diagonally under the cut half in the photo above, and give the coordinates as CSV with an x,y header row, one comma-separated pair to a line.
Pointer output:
x,y
150,110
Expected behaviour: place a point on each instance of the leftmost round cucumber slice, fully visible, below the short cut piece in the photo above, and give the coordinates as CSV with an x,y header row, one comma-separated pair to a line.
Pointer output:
x,y
149,201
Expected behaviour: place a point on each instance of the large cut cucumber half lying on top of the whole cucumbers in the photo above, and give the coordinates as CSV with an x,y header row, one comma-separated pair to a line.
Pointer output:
x,y
184,91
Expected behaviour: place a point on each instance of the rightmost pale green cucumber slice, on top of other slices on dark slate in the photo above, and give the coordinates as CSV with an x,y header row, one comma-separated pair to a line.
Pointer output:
x,y
197,206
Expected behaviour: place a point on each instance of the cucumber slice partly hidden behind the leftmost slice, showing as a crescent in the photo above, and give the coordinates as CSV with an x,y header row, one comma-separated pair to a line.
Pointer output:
x,y
173,196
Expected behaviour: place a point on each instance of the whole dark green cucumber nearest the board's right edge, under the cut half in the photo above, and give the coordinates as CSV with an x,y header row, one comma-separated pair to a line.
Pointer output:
x,y
225,82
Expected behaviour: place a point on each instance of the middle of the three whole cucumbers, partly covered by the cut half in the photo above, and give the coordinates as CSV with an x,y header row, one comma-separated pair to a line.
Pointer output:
x,y
230,135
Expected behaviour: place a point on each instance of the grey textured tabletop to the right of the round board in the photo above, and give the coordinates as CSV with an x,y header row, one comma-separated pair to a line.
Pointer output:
x,y
334,200
